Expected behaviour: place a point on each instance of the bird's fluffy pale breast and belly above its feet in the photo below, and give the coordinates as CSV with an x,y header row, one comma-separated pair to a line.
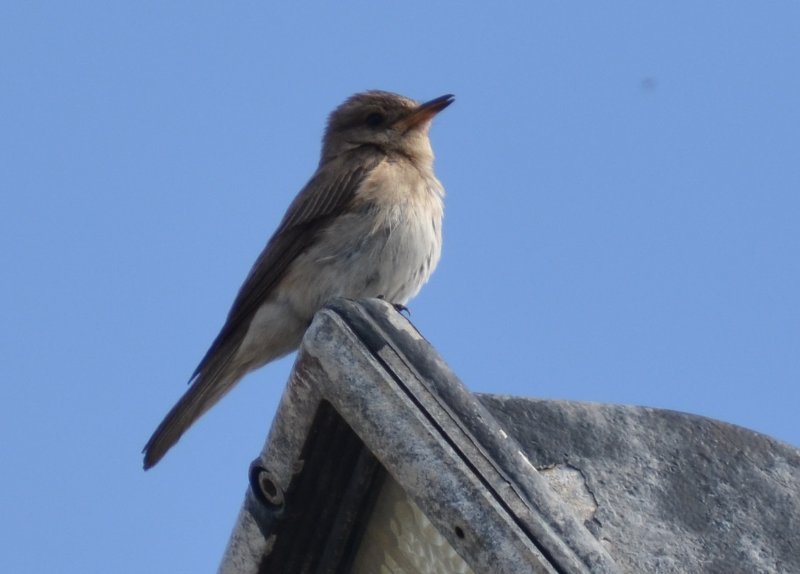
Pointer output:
x,y
387,244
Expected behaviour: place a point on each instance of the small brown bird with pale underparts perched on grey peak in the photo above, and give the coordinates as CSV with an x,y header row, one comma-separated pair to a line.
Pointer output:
x,y
367,224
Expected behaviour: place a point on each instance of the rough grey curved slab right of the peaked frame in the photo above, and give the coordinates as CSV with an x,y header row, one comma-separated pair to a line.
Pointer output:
x,y
667,491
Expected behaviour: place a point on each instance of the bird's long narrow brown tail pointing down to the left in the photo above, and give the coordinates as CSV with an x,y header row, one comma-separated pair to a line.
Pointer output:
x,y
203,394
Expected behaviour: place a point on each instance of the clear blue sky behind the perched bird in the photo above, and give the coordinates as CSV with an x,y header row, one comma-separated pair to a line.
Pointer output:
x,y
622,226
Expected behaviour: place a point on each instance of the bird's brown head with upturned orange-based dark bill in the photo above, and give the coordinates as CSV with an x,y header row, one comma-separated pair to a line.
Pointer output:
x,y
385,120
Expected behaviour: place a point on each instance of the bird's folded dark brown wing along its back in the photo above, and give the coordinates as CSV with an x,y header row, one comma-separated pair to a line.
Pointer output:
x,y
325,196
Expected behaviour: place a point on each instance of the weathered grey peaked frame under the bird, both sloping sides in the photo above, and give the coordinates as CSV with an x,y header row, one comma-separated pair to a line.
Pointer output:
x,y
435,439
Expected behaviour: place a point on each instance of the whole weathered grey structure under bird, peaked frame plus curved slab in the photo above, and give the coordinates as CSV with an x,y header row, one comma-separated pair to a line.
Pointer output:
x,y
513,484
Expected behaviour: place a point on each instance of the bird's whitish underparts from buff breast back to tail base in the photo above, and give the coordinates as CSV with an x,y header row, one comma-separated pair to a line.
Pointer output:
x,y
387,246
